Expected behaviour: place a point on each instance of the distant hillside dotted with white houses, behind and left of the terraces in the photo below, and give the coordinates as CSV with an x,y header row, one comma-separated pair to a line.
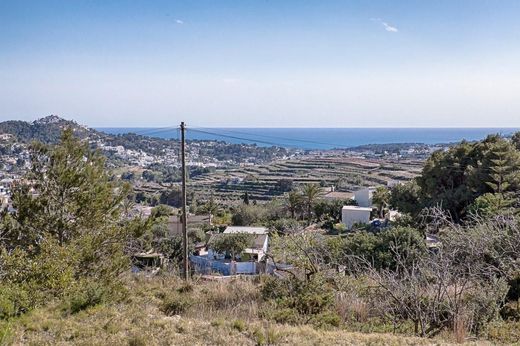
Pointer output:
x,y
132,149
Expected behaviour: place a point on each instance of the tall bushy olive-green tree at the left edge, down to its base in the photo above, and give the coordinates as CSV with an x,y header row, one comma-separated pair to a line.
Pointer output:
x,y
68,231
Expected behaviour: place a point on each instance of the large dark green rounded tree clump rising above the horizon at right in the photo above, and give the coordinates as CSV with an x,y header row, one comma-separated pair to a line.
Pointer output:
x,y
453,179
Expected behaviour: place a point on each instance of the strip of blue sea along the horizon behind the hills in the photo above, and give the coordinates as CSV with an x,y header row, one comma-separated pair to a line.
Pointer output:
x,y
319,138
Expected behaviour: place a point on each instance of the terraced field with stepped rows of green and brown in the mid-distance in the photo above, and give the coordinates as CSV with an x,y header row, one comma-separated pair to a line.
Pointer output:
x,y
267,181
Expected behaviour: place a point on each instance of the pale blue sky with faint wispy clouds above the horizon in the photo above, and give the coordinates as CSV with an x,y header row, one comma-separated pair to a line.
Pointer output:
x,y
269,63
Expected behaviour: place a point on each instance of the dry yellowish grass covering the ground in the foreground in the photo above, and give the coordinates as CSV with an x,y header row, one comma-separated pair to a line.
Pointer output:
x,y
222,313
